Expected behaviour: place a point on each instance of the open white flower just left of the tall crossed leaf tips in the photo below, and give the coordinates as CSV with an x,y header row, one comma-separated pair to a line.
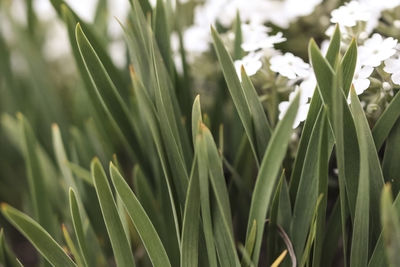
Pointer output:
x,y
289,66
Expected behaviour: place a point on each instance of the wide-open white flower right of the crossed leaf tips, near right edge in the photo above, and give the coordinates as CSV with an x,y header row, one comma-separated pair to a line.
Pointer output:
x,y
376,49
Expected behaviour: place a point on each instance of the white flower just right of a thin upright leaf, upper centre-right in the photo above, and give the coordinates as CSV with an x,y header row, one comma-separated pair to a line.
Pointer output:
x,y
255,36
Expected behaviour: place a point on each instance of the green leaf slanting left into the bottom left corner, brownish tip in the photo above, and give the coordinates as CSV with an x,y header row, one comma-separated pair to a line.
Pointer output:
x,y
38,236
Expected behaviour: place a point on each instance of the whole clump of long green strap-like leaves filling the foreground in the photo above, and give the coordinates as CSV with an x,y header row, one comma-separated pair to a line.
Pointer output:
x,y
237,201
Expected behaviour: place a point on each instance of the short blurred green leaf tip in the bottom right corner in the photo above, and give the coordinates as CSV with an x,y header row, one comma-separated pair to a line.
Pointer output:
x,y
391,228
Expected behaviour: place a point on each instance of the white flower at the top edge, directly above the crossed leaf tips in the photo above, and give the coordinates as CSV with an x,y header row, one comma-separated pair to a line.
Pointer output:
x,y
350,13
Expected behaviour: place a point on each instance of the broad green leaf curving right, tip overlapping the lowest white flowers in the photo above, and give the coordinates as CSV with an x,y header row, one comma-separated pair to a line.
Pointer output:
x,y
267,175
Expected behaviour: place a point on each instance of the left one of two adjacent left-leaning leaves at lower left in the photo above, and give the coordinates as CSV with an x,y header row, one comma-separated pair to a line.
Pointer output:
x,y
119,242
